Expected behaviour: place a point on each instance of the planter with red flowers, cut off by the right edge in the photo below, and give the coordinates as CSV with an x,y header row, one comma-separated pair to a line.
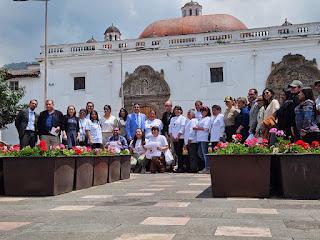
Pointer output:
x,y
299,168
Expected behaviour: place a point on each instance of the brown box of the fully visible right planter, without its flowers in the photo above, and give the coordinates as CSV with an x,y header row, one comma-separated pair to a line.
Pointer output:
x,y
240,175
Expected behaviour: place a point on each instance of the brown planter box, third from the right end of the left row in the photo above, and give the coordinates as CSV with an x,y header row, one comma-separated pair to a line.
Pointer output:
x,y
100,170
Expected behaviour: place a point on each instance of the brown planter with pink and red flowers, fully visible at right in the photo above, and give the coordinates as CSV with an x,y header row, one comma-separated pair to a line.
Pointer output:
x,y
240,170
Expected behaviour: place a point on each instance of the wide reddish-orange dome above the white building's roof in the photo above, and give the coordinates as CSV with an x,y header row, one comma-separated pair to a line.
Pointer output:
x,y
192,25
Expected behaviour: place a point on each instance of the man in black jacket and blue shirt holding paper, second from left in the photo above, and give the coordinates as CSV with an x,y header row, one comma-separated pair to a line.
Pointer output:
x,y
50,124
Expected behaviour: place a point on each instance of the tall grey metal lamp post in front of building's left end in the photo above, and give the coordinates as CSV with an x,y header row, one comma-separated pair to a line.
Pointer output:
x,y
45,45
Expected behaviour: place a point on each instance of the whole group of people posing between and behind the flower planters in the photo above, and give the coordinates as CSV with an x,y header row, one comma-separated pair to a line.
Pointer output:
x,y
154,142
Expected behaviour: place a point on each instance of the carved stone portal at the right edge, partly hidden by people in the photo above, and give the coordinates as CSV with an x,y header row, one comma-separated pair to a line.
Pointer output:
x,y
292,67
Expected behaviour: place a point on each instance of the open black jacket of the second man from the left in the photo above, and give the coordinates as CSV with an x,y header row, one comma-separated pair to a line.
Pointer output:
x,y
57,122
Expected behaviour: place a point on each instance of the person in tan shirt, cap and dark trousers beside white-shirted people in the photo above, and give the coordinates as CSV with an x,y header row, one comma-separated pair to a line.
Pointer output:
x,y
229,118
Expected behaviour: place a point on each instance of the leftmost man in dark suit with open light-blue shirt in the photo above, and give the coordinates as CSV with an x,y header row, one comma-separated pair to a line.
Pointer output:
x,y
26,124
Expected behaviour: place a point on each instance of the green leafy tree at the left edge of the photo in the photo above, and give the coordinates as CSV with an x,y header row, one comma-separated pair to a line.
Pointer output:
x,y
9,100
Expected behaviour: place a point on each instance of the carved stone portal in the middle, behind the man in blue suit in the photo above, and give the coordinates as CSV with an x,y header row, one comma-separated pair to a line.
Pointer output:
x,y
146,87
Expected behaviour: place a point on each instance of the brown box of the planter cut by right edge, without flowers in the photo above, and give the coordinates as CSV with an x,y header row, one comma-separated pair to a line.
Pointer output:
x,y
300,175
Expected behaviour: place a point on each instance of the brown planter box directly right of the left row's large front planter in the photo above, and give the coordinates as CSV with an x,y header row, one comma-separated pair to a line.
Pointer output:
x,y
83,177
